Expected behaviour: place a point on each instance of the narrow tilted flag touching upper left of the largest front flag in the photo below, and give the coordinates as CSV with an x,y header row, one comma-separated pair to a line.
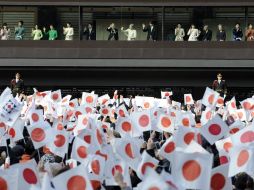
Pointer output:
x,y
166,151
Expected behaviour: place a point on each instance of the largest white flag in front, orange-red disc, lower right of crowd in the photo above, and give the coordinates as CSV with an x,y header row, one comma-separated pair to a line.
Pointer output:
x,y
192,170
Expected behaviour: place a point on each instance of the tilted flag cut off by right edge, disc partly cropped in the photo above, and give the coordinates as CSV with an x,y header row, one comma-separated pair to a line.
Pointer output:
x,y
244,136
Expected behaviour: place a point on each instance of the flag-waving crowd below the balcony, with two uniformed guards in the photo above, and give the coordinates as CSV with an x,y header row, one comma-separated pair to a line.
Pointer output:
x,y
96,142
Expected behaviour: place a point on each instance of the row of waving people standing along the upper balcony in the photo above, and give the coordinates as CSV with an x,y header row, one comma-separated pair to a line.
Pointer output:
x,y
89,32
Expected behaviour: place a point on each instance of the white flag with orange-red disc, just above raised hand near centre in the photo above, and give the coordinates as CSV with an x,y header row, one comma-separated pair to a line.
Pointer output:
x,y
142,120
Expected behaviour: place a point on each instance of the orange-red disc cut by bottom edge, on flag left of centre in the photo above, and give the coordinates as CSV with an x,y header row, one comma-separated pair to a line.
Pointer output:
x,y
76,182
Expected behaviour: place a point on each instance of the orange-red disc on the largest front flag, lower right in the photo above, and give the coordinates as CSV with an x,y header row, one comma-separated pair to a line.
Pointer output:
x,y
191,170
